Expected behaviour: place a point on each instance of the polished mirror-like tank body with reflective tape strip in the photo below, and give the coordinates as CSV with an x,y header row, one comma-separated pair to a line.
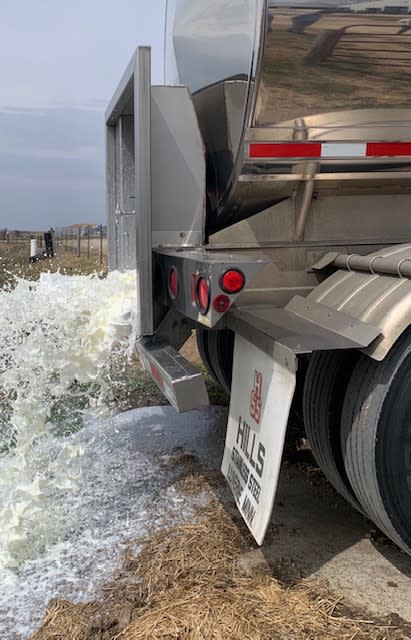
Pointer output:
x,y
313,92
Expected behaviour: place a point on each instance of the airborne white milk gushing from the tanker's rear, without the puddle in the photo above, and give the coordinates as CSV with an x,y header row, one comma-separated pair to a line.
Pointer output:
x,y
56,337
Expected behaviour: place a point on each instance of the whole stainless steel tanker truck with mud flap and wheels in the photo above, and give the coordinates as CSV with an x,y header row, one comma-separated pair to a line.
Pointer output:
x,y
263,196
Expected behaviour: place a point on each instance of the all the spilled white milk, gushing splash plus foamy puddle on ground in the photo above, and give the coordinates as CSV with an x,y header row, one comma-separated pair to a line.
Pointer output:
x,y
70,496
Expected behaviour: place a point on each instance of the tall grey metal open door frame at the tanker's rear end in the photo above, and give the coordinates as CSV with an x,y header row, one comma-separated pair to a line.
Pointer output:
x,y
128,124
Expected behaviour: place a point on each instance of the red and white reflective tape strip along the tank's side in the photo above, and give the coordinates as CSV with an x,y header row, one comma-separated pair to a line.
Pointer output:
x,y
329,149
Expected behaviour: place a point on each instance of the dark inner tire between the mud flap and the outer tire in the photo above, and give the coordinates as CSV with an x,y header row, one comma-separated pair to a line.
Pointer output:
x,y
326,382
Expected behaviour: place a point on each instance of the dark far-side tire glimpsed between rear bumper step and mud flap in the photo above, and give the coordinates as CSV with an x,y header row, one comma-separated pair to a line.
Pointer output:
x,y
216,349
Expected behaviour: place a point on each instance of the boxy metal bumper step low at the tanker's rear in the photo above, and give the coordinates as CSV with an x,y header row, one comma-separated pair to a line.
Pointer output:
x,y
180,381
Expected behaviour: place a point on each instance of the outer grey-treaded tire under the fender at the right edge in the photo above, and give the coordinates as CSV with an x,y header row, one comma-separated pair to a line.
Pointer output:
x,y
376,439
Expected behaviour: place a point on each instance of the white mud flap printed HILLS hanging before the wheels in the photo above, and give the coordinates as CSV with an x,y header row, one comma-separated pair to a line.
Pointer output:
x,y
262,391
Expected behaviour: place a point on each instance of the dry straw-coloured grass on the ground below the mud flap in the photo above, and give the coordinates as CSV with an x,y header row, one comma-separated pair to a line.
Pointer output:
x,y
186,584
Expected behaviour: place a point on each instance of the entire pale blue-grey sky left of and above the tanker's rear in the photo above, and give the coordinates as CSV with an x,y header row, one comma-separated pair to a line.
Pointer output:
x,y
60,62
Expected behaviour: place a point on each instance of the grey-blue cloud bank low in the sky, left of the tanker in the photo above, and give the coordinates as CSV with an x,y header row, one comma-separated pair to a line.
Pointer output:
x,y
51,167
